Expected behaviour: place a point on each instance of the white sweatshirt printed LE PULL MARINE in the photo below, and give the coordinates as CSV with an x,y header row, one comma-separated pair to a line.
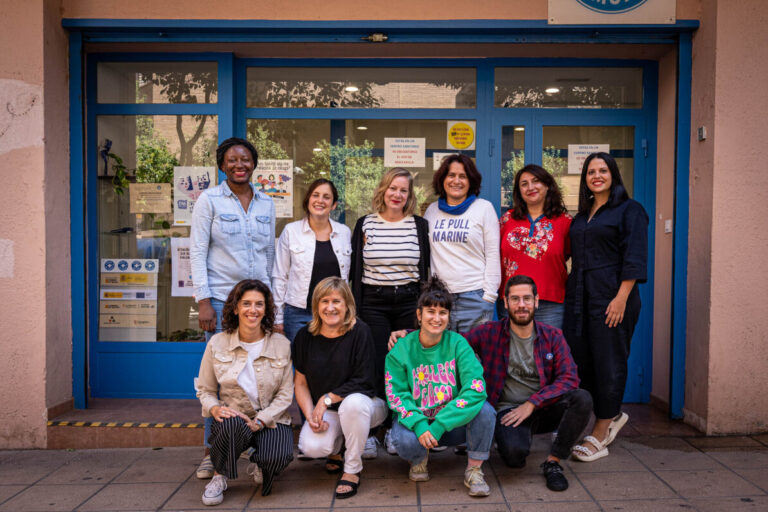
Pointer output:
x,y
465,248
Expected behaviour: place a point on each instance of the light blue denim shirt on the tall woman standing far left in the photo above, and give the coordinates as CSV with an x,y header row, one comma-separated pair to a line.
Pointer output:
x,y
227,244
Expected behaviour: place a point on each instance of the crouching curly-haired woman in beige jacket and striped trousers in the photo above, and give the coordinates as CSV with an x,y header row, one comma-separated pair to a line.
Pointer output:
x,y
246,384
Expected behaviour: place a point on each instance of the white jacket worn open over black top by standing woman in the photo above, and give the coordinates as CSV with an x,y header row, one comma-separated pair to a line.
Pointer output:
x,y
295,258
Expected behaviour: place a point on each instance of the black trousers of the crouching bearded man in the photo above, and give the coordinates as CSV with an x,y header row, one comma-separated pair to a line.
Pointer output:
x,y
569,416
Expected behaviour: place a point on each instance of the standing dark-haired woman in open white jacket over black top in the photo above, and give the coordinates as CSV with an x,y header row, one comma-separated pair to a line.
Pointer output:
x,y
308,251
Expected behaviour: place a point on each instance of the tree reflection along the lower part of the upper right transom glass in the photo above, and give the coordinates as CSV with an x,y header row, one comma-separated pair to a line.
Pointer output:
x,y
605,96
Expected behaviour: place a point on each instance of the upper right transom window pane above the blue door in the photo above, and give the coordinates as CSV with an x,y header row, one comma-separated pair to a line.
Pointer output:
x,y
569,87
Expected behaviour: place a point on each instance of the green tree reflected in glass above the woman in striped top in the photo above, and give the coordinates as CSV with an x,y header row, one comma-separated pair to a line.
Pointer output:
x,y
355,172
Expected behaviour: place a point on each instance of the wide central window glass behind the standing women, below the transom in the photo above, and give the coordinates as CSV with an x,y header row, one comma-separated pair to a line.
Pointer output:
x,y
350,153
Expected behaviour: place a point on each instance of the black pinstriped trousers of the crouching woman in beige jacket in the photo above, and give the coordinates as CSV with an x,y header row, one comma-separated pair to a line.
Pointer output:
x,y
273,448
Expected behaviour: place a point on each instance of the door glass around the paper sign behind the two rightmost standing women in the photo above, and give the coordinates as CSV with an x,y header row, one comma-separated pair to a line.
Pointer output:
x,y
620,141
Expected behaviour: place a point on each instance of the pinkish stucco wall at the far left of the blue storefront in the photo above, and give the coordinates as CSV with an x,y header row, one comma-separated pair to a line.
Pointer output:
x,y
35,370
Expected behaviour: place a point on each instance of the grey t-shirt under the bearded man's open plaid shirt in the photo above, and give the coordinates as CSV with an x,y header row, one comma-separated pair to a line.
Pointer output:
x,y
522,375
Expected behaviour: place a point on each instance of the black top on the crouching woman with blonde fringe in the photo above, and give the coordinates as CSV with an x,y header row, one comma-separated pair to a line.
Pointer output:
x,y
342,365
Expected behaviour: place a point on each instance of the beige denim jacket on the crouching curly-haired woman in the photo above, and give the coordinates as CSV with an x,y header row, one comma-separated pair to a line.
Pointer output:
x,y
225,358
